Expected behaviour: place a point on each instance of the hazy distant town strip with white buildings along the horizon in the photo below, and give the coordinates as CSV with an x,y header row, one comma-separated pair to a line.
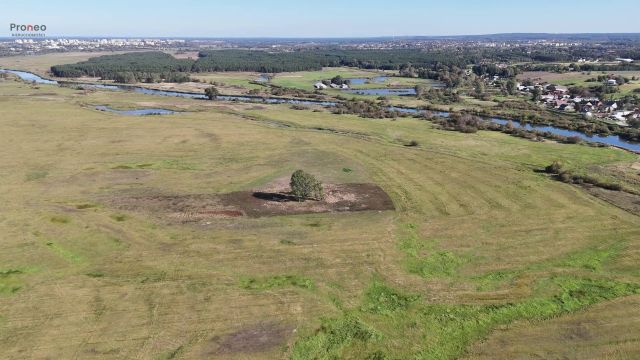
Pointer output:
x,y
17,46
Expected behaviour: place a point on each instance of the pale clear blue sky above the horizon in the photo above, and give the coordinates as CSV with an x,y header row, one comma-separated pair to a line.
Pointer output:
x,y
325,18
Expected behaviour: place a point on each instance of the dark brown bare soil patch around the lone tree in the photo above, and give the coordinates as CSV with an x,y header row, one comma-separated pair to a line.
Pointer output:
x,y
269,201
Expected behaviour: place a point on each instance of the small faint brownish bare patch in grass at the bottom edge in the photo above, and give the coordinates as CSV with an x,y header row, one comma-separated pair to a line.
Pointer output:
x,y
258,337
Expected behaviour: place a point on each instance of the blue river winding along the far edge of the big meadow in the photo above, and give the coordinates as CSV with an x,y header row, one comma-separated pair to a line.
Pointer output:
x,y
613,140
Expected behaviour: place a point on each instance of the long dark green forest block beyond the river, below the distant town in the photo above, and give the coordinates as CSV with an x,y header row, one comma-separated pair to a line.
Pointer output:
x,y
155,66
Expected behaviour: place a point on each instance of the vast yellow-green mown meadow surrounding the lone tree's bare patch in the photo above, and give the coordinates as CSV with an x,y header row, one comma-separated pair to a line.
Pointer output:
x,y
480,250
